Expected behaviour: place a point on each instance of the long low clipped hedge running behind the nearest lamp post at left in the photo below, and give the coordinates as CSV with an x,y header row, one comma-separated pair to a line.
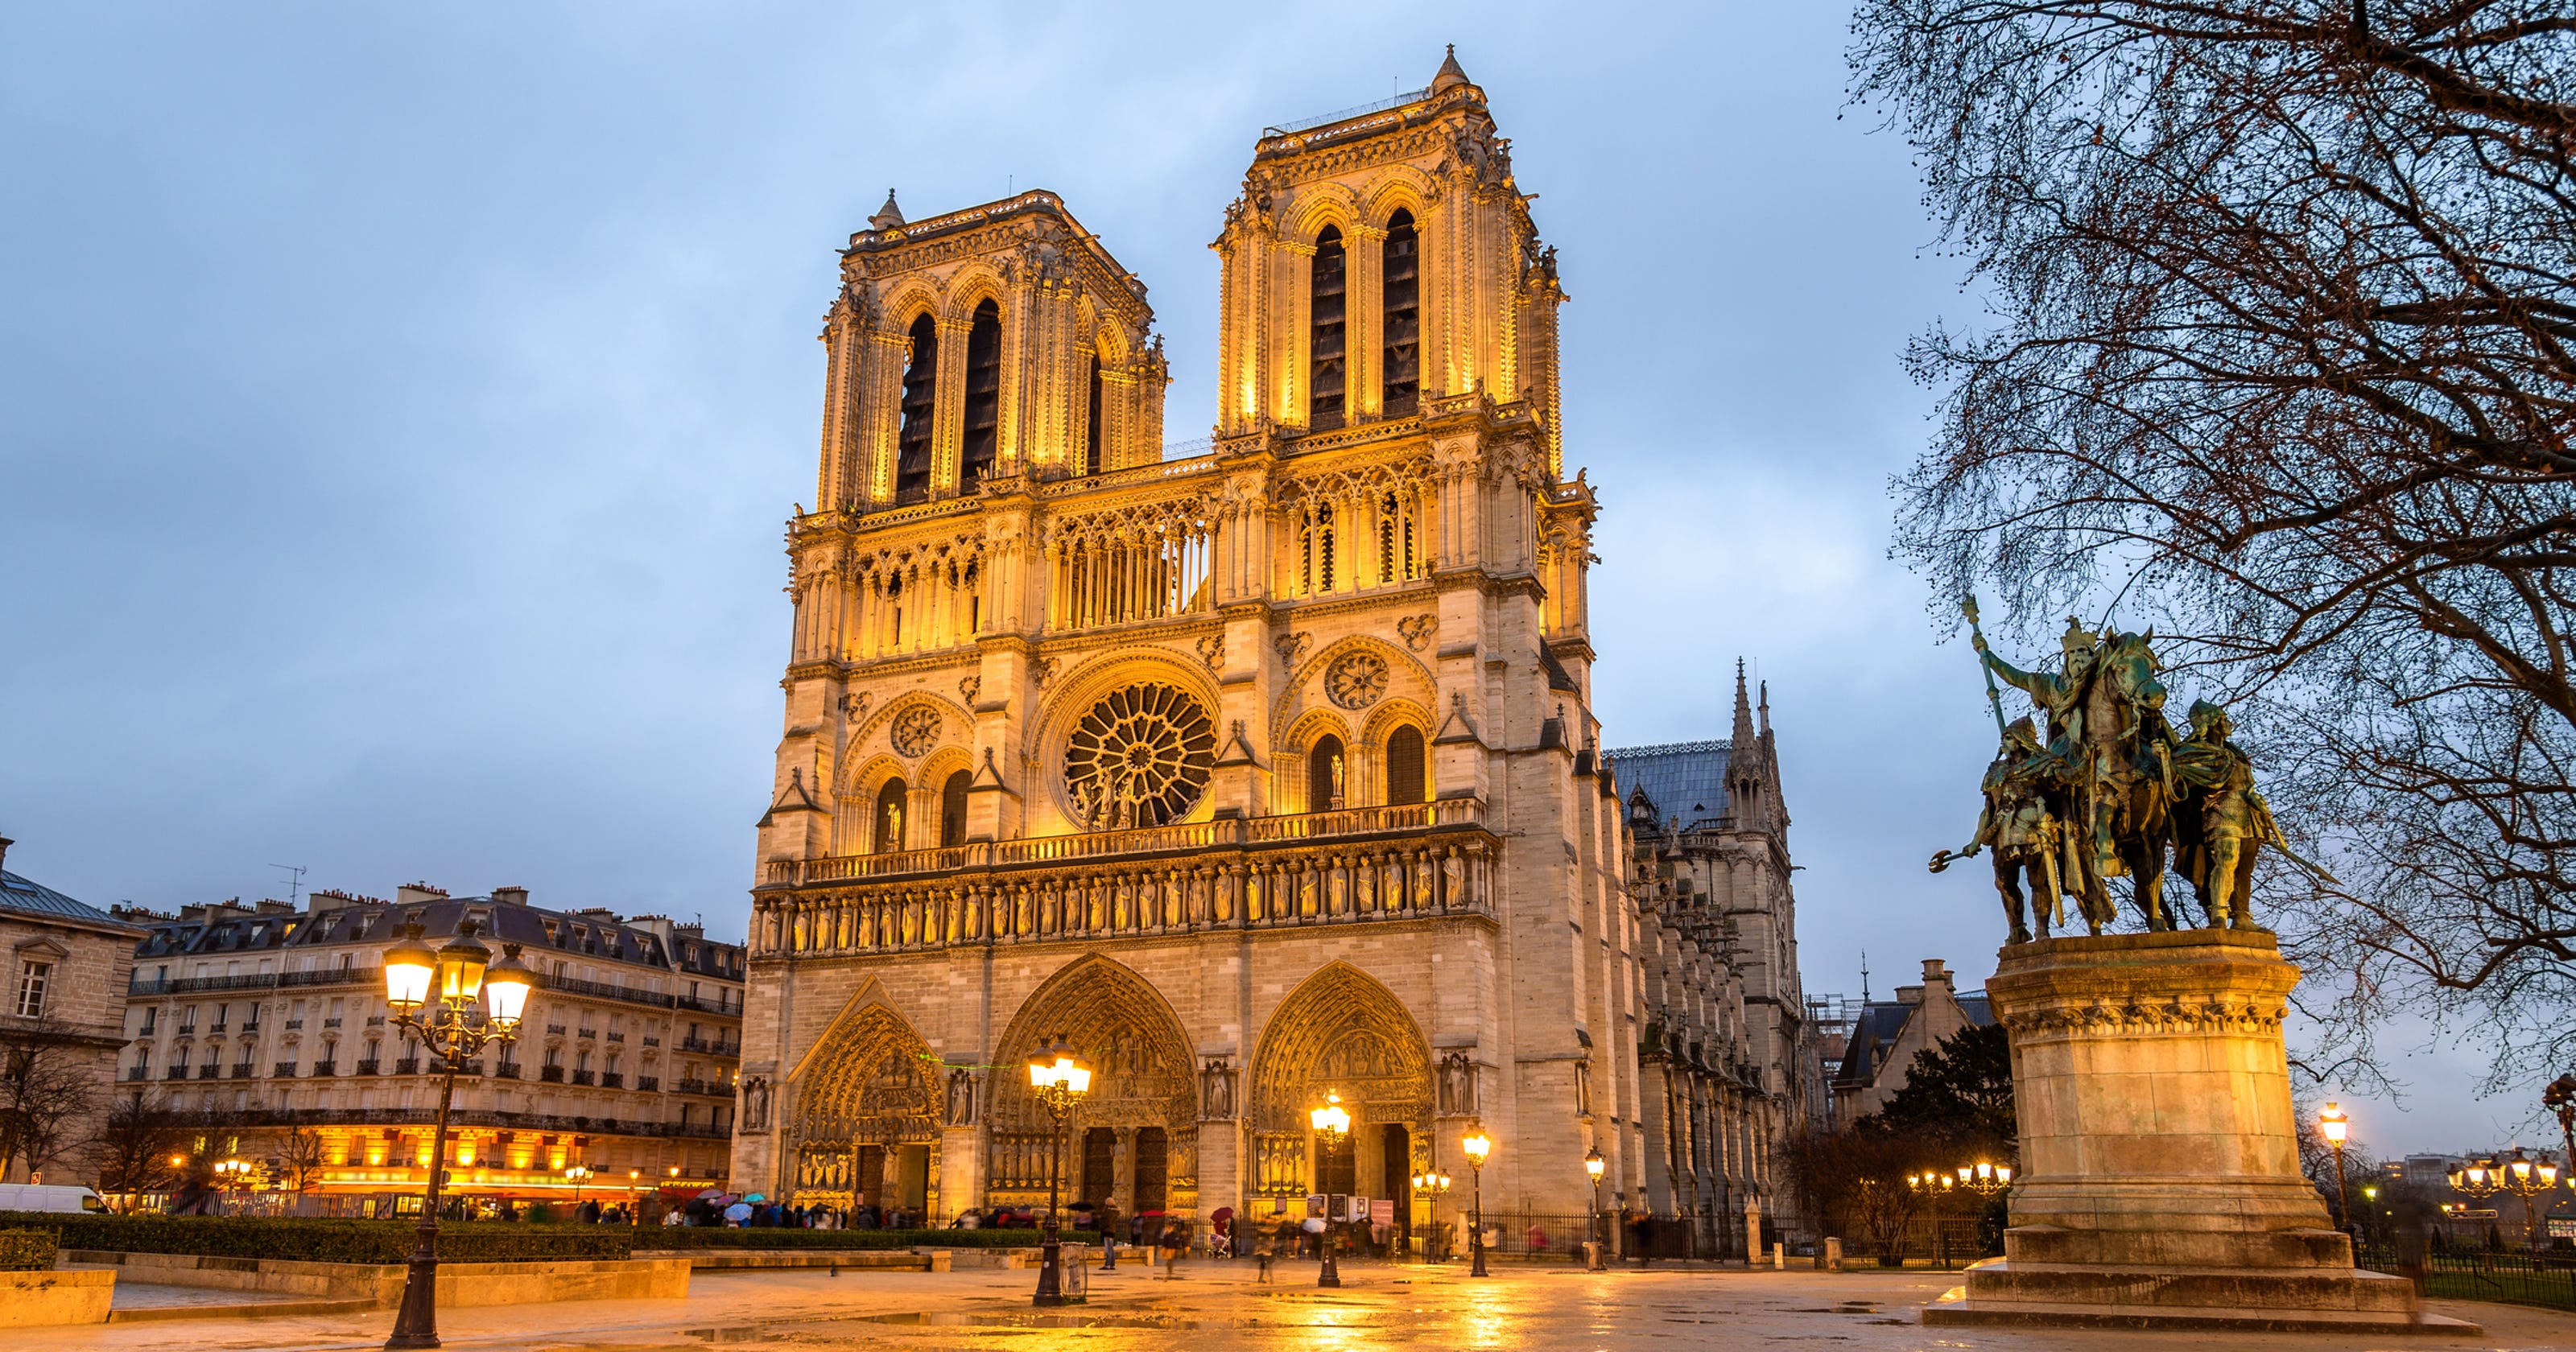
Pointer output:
x,y
316,1240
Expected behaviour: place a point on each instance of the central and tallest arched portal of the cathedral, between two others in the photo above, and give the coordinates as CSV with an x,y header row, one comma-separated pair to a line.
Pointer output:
x,y
1140,1124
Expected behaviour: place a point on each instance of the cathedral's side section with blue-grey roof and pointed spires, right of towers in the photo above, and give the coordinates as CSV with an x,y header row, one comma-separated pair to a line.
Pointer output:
x,y
1730,1060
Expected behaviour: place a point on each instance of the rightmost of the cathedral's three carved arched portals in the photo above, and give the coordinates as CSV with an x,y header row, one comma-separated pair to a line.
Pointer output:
x,y
1338,1034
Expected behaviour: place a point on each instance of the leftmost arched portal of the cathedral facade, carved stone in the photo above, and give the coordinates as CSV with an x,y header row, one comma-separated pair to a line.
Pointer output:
x,y
864,1127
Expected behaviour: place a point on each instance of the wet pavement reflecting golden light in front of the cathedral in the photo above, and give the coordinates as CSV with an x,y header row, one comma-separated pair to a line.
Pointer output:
x,y
1217,1304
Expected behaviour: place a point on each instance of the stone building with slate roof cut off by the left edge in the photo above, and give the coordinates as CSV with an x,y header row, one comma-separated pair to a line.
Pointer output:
x,y
66,964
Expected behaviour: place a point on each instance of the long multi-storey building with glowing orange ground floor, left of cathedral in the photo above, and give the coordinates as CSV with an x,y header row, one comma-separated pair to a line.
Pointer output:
x,y
267,1019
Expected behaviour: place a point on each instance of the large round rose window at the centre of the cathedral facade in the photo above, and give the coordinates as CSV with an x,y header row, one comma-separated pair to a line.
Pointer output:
x,y
1140,758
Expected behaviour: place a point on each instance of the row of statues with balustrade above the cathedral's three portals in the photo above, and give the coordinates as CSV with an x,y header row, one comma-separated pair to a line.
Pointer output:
x,y
1413,861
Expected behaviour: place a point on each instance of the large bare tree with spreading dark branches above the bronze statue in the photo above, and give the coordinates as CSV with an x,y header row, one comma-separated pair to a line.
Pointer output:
x,y
2286,352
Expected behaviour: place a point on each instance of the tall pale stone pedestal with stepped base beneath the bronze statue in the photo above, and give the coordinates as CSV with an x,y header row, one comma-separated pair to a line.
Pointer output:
x,y
2160,1152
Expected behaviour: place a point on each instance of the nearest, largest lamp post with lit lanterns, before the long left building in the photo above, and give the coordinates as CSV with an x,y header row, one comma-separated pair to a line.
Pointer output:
x,y
437,993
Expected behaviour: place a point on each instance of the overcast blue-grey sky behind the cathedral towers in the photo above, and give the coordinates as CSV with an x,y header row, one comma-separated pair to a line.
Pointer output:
x,y
403,406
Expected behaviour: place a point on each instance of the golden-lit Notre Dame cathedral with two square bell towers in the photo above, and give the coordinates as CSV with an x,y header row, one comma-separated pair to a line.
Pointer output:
x,y
1258,771
